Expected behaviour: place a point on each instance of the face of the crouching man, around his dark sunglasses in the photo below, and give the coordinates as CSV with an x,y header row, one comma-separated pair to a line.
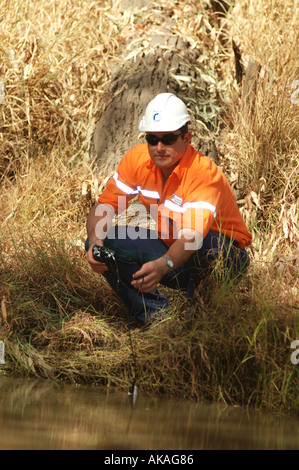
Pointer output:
x,y
166,156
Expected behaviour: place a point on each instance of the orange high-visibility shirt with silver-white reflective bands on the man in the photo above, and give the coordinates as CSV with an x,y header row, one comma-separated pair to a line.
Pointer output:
x,y
195,196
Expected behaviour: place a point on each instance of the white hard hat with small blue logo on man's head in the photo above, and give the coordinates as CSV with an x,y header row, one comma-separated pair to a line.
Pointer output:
x,y
165,113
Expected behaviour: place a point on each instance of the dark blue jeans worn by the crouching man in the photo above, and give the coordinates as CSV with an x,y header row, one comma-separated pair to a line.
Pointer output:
x,y
131,254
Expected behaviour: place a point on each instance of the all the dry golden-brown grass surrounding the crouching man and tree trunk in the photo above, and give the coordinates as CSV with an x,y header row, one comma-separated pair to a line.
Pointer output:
x,y
58,319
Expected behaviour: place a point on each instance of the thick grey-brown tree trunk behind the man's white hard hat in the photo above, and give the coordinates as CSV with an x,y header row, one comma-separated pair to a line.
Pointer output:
x,y
134,84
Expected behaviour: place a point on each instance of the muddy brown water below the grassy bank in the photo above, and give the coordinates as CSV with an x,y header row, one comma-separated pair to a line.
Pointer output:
x,y
38,414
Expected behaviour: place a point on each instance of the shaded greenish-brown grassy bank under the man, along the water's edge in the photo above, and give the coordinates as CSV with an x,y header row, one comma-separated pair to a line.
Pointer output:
x,y
63,323
